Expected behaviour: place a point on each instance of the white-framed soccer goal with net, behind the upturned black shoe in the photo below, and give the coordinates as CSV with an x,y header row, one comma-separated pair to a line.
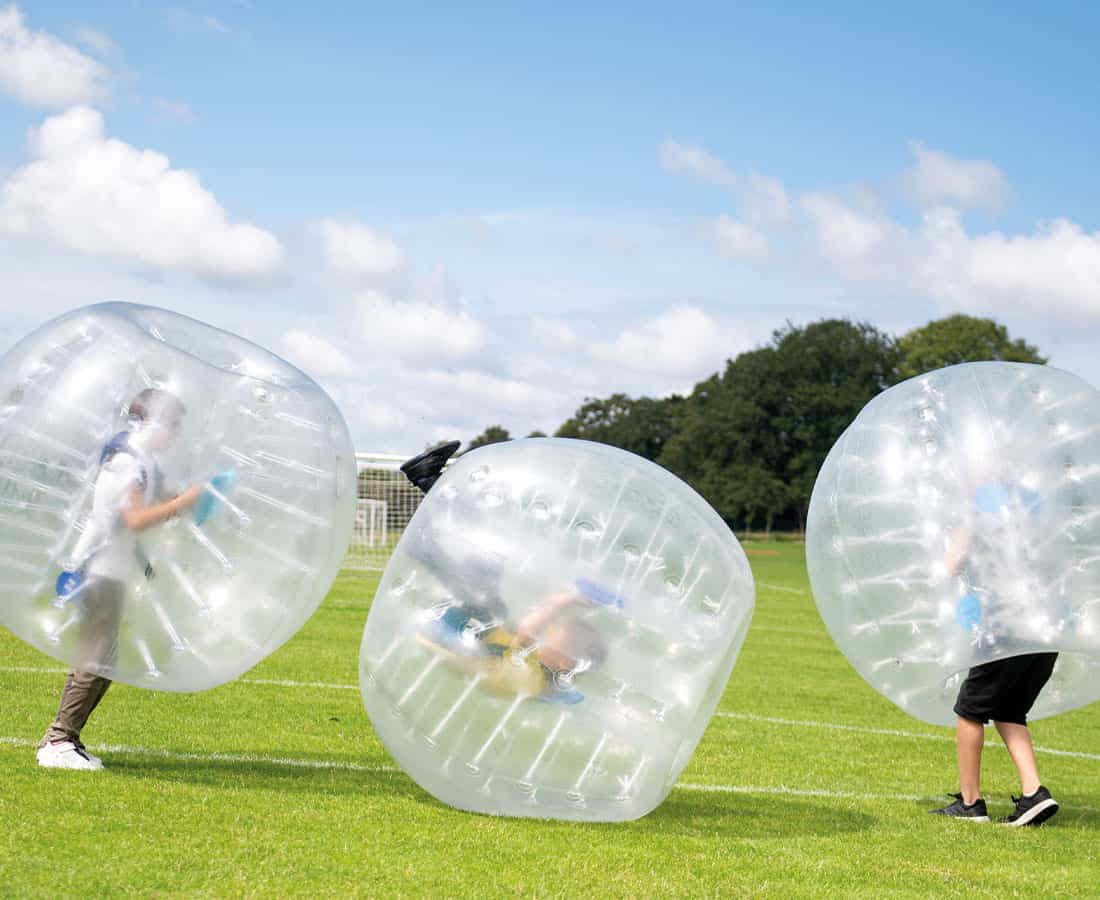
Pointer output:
x,y
387,503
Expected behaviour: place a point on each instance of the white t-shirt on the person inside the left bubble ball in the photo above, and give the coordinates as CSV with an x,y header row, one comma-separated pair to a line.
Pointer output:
x,y
108,547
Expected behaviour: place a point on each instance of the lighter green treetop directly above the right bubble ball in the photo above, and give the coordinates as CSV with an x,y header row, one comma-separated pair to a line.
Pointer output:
x,y
961,339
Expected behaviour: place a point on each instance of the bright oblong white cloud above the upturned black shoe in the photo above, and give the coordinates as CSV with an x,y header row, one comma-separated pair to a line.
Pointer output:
x,y
417,331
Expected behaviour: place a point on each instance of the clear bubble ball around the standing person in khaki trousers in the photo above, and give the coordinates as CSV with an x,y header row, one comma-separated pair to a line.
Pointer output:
x,y
109,413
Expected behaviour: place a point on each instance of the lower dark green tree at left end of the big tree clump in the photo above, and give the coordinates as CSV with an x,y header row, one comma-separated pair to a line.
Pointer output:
x,y
641,426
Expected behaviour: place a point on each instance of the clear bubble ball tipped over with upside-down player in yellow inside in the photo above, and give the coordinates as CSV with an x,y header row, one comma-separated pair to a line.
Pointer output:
x,y
554,632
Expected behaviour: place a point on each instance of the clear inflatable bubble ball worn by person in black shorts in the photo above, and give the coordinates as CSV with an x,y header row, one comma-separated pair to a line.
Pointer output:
x,y
958,522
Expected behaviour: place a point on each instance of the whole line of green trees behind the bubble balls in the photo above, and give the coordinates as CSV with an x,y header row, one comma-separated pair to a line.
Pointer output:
x,y
752,438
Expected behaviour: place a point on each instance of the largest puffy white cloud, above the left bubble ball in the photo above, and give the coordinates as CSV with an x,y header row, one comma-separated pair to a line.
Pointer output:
x,y
104,197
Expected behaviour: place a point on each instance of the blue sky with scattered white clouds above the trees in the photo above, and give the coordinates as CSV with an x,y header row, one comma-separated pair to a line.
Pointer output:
x,y
580,201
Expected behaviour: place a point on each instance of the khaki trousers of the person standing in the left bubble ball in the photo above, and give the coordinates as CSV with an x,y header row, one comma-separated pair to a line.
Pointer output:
x,y
97,647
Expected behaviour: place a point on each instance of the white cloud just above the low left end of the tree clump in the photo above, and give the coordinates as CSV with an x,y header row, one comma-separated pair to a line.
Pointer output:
x,y
684,341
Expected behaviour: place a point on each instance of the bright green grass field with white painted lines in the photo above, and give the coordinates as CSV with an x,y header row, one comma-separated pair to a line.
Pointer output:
x,y
807,784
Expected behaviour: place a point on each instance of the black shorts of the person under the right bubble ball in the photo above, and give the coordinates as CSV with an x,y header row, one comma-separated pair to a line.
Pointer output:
x,y
1005,690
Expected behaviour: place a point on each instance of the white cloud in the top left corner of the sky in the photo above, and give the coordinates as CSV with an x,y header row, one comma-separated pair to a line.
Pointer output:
x,y
40,70
